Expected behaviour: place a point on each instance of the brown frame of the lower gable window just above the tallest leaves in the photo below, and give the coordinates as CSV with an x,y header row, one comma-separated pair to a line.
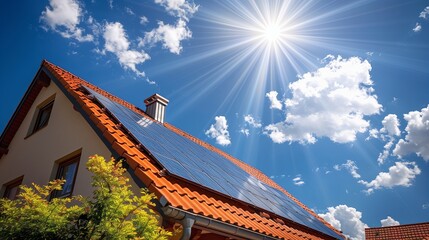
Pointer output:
x,y
60,174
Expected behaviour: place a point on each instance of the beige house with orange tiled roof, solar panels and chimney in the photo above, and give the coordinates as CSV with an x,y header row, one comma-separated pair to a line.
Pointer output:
x,y
62,120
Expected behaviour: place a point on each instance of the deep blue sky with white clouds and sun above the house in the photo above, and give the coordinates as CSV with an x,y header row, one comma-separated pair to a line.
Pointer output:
x,y
328,98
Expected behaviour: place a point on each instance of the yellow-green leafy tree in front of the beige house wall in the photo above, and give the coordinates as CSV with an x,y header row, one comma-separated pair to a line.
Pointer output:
x,y
114,211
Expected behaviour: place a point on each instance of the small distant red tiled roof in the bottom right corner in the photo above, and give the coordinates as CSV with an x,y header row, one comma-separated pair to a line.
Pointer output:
x,y
417,231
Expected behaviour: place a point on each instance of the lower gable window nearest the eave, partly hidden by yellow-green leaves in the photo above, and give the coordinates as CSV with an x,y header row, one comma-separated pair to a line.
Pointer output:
x,y
67,170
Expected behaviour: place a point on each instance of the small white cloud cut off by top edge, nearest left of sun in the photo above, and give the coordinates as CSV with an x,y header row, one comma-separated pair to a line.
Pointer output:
x,y
179,8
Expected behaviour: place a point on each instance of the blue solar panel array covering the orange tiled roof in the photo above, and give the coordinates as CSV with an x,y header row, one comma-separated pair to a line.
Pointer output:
x,y
190,161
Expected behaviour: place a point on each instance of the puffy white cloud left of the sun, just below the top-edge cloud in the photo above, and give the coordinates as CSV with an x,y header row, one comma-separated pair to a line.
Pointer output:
x,y
170,36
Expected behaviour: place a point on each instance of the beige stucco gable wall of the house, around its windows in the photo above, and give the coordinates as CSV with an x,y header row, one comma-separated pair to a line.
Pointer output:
x,y
67,132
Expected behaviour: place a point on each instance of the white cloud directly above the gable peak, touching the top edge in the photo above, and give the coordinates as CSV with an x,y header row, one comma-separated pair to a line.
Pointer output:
x,y
63,16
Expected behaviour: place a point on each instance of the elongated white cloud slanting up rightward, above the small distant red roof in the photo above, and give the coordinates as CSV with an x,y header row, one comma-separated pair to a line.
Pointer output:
x,y
401,174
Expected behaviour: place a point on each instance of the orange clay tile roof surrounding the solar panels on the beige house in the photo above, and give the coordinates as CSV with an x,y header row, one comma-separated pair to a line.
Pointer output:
x,y
177,192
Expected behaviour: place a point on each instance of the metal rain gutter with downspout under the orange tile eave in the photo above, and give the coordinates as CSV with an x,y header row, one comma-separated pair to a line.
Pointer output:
x,y
188,219
